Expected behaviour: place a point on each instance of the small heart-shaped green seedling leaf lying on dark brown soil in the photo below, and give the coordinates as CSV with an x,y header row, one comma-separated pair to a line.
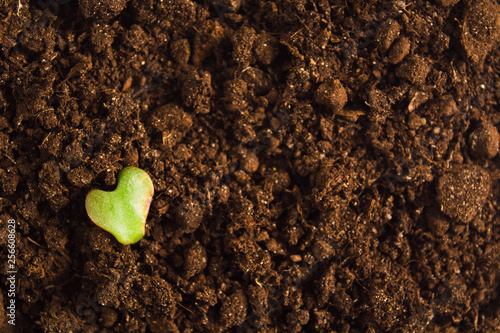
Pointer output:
x,y
123,211
